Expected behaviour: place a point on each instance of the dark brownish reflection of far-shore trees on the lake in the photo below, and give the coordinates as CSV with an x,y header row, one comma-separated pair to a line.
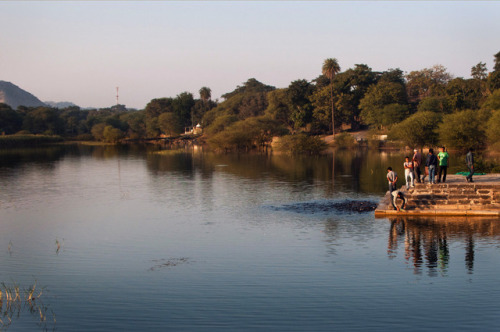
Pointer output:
x,y
343,170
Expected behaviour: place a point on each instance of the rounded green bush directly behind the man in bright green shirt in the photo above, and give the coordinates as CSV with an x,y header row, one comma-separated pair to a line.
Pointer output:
x,y
418,130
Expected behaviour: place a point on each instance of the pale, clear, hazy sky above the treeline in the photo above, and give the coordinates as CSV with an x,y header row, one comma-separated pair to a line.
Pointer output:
x,y
81,51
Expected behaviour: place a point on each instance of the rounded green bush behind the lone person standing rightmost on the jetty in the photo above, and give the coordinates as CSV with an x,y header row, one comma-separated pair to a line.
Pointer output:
x,y
464,129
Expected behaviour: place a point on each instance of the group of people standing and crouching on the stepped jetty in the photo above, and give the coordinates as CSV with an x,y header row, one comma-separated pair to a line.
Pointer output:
x,y
413,171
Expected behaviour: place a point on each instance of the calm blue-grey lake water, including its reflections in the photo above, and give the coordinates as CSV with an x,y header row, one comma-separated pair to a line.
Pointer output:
x,y
193,241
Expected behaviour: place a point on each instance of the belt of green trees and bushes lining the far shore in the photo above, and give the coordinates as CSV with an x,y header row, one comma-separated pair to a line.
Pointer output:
x,y
424,107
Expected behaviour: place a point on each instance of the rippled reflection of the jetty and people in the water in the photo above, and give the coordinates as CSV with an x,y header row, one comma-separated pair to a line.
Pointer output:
x,y
426,241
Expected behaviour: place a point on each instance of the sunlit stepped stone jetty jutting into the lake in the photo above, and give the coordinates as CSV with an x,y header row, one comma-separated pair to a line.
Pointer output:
x,y
455,197
